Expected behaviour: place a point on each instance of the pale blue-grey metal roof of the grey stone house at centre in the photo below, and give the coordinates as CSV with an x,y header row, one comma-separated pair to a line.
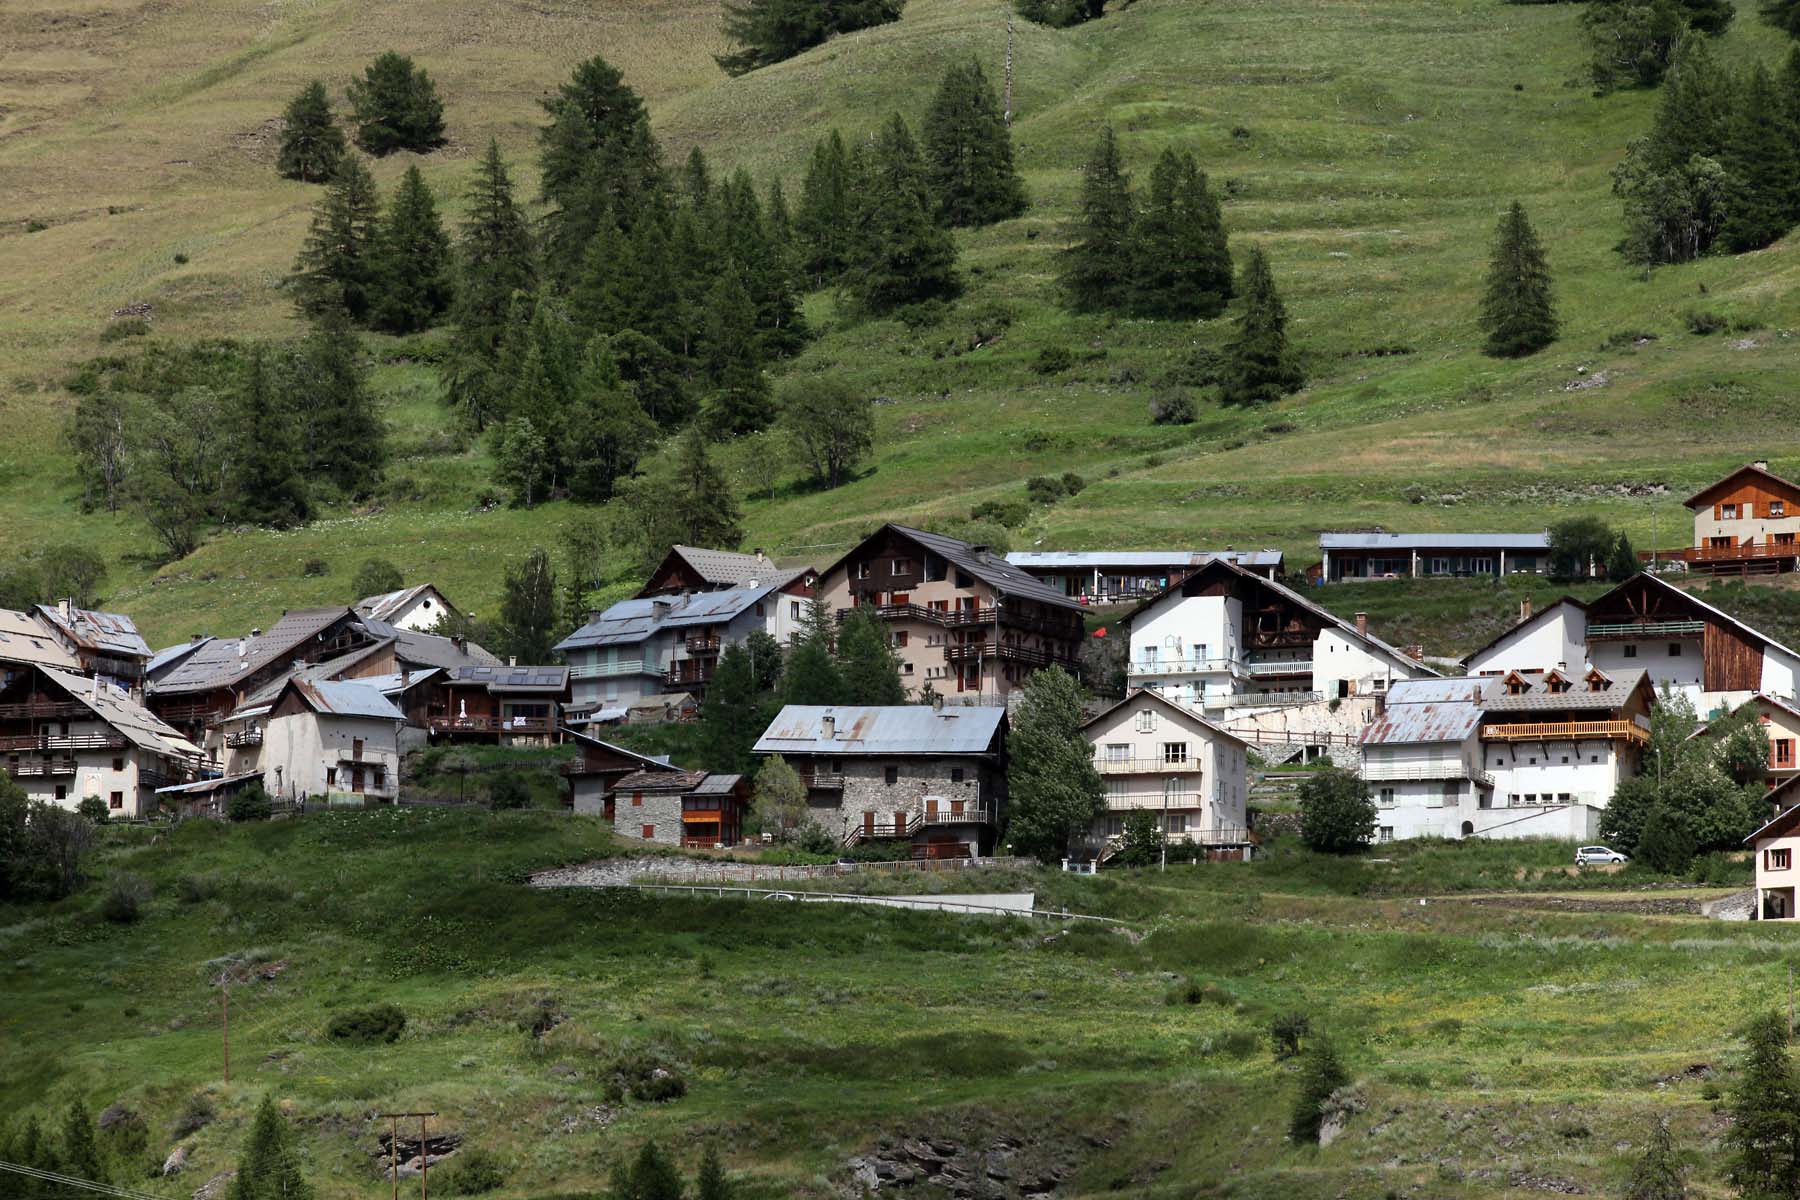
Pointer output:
x,y
881,730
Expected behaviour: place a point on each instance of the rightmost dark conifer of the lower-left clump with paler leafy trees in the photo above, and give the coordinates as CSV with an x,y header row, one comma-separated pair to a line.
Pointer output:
x,y
327,388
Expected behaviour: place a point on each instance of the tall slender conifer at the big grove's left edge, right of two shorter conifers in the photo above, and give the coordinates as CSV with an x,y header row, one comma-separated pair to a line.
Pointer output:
x,y
496,264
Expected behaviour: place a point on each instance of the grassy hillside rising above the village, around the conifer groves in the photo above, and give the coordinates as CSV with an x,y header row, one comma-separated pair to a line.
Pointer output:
x,y
1369,145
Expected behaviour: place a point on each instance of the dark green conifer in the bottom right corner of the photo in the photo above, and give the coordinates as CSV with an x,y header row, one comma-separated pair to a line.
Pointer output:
x,y
1765,1133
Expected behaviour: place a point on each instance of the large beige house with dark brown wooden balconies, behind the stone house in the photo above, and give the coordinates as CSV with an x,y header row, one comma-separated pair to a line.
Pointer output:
x,y
964,622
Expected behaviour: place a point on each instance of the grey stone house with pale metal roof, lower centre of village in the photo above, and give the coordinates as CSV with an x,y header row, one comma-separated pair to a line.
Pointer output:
x,y
931,776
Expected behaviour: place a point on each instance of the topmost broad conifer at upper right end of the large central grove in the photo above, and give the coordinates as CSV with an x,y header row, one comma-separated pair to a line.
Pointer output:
x,y
969,152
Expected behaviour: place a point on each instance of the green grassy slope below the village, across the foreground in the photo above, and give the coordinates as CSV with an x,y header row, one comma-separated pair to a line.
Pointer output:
x,y
1506,1039
